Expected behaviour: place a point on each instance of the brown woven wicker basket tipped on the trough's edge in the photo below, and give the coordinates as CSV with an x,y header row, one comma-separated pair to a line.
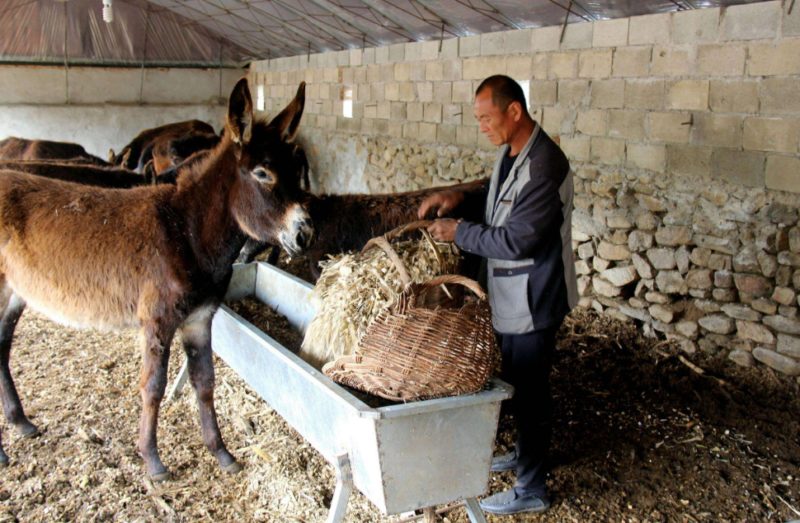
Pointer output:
x,y
411,352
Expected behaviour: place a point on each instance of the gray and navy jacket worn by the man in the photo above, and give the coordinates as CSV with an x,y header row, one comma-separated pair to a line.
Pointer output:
x,y
527,239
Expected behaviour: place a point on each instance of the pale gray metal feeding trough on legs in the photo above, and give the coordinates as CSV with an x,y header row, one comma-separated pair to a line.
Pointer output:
x,y
402,457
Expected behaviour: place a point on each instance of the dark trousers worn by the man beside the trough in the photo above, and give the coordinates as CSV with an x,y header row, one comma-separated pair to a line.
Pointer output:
x,y
527,360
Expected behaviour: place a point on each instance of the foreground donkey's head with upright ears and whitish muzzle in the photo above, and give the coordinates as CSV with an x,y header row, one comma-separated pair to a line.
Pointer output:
x,y
267,200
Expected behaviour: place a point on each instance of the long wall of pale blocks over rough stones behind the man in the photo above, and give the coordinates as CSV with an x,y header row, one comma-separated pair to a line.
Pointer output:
x,y
683,130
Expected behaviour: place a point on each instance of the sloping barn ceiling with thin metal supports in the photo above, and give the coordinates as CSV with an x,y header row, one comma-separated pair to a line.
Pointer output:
x,y
231,32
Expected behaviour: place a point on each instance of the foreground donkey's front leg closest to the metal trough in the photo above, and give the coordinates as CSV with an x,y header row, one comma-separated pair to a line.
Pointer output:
x,y
196,334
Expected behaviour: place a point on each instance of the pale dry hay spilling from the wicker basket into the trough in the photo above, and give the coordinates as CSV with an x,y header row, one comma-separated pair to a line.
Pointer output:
x,y
355,287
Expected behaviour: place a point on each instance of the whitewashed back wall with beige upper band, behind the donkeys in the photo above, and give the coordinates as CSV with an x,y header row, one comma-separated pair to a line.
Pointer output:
x,y
102,108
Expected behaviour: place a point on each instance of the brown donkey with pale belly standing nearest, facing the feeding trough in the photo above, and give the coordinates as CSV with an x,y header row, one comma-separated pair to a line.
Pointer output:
x,y
157,258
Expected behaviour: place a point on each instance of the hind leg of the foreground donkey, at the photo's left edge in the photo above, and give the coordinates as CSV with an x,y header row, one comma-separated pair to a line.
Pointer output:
x,y
12,407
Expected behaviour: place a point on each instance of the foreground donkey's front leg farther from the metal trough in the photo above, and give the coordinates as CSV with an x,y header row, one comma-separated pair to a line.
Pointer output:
x,y
152,384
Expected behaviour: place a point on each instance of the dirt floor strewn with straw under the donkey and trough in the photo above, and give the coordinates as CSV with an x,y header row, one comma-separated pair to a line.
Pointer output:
x,y
639,435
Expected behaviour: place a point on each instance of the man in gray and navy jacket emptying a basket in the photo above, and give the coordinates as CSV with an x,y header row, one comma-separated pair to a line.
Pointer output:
x,y
526,240
